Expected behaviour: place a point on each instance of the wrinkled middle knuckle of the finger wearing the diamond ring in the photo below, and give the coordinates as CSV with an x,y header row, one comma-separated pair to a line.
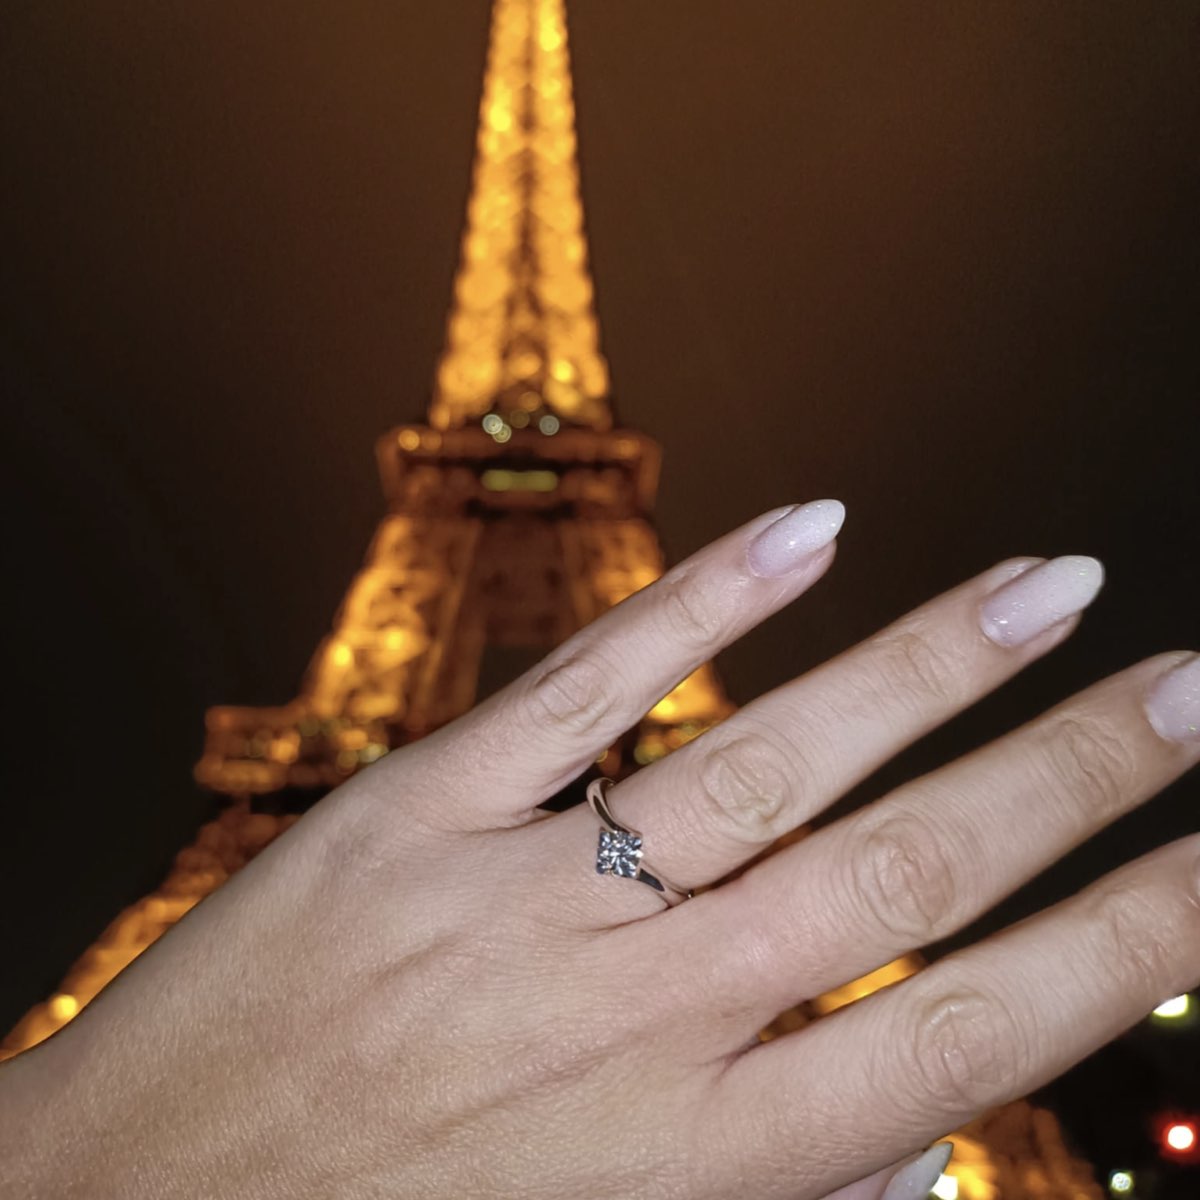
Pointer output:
x,y
745,787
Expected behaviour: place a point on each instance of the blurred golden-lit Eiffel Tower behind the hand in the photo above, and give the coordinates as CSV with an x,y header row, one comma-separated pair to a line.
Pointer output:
x,y
517,514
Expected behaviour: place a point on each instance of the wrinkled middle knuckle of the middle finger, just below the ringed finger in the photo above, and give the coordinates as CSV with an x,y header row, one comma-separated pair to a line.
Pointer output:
x,y
908,879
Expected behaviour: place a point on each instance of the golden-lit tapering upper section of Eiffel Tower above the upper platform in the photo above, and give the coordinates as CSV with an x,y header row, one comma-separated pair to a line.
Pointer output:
x,y
523,341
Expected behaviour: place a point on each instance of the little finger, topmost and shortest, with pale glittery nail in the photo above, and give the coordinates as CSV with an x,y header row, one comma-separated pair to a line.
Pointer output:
x,y
523,745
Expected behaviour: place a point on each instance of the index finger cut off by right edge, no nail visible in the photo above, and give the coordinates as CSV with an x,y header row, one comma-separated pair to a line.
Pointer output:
x,y
976,1030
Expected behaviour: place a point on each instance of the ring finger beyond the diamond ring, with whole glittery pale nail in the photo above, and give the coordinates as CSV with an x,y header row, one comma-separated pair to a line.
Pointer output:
x,y
725,797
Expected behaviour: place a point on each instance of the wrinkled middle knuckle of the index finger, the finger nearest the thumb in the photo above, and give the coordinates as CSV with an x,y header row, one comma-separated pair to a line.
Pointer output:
x,y
964,1053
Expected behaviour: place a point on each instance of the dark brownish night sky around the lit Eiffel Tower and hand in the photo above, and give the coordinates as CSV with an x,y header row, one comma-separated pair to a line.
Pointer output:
x,y
939,261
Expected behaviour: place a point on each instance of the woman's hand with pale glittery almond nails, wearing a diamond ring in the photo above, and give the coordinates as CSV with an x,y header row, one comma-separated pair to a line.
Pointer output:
x,y
425,989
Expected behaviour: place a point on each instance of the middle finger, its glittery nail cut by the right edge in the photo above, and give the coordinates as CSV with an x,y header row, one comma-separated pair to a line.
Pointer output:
x,y
935,854
